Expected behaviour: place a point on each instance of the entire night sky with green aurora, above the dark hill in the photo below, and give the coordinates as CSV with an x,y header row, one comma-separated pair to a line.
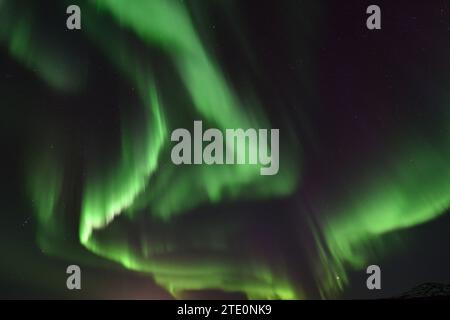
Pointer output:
x,y
364,173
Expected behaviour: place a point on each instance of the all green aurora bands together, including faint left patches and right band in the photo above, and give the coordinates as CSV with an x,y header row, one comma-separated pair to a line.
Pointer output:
x,y
395,195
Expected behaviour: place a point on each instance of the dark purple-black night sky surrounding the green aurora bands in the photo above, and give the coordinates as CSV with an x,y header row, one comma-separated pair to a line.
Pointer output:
x,y
352,100
